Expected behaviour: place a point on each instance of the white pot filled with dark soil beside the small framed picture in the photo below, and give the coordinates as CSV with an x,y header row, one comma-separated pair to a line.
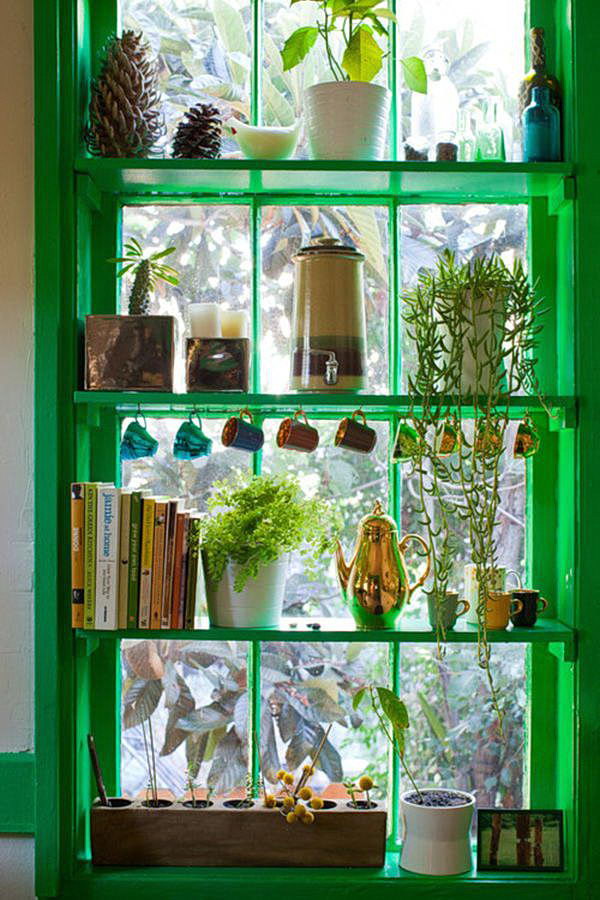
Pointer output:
x,y
437,840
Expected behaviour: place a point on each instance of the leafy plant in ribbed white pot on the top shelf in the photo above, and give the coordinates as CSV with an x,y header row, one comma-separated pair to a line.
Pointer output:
x,y
347,118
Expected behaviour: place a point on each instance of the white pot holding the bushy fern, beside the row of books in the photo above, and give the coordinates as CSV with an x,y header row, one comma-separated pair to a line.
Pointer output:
x,y
257,605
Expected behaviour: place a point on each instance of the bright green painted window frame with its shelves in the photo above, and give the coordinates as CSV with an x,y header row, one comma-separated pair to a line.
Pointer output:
x,y
78,202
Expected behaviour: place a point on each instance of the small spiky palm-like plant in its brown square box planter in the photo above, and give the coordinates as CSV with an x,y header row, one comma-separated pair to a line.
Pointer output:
x,y
133,352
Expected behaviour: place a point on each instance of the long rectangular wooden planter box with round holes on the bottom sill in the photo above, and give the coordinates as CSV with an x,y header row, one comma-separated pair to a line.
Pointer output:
x,y
223,836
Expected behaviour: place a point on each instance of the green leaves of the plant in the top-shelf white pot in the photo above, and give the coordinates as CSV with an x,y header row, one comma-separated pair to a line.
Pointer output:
x,y
355,22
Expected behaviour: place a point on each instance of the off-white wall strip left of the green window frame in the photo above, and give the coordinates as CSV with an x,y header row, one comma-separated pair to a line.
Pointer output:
x,y
16,410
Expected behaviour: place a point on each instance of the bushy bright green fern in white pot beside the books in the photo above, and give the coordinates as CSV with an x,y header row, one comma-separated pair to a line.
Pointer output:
x,y
252,527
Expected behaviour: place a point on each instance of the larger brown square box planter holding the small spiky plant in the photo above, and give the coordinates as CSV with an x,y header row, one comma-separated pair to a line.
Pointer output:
x,y
129,353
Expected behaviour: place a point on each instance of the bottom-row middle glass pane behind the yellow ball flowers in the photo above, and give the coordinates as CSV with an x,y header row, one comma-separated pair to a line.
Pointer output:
x,y
307,687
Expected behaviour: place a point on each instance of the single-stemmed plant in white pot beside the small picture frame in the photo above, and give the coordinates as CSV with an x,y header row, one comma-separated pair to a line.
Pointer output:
x,y
437,821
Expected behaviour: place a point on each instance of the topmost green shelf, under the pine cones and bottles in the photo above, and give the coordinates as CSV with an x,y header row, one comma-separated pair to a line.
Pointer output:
x,y
410,181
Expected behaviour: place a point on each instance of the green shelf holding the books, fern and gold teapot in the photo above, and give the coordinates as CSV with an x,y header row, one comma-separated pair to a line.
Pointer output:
x,y
408,631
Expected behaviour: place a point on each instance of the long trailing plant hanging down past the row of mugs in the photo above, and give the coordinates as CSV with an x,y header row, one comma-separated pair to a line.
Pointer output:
x,y
475,329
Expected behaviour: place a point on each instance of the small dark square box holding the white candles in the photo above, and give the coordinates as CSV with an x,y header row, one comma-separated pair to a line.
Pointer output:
x,y
217,364
